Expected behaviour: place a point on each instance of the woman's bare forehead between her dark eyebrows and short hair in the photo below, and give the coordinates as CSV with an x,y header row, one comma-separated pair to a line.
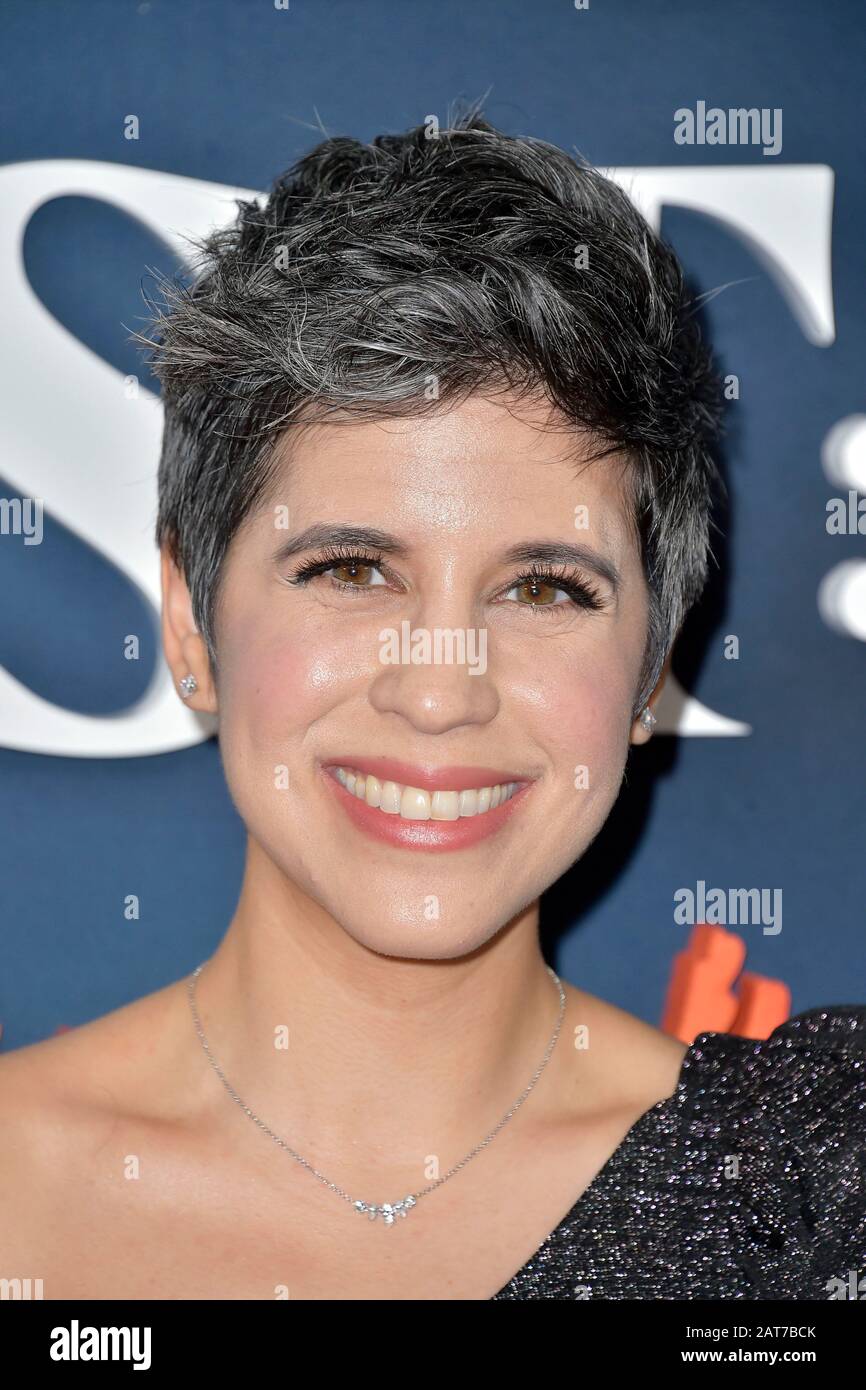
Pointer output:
x,y
490,465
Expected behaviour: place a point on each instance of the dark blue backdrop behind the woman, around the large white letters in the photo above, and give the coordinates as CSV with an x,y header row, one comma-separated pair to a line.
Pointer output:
x,y
233,92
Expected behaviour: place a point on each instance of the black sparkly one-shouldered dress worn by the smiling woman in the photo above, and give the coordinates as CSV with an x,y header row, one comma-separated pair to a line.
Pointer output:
x,y
749,1182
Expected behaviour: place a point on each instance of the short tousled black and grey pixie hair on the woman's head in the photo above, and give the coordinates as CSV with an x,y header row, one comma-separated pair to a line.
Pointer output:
x,y
466,258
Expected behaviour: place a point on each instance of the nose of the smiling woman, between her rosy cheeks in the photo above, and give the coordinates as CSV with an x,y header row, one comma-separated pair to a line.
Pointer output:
x,y
437,679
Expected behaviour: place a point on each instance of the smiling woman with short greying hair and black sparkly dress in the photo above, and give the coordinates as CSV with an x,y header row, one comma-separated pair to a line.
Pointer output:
x,y
434,502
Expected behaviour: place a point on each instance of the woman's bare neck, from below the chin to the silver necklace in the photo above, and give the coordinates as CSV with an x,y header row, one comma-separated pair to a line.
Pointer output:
x,y
389,1060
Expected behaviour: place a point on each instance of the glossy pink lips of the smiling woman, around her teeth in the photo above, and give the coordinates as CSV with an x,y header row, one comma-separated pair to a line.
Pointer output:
x,y
426,835
